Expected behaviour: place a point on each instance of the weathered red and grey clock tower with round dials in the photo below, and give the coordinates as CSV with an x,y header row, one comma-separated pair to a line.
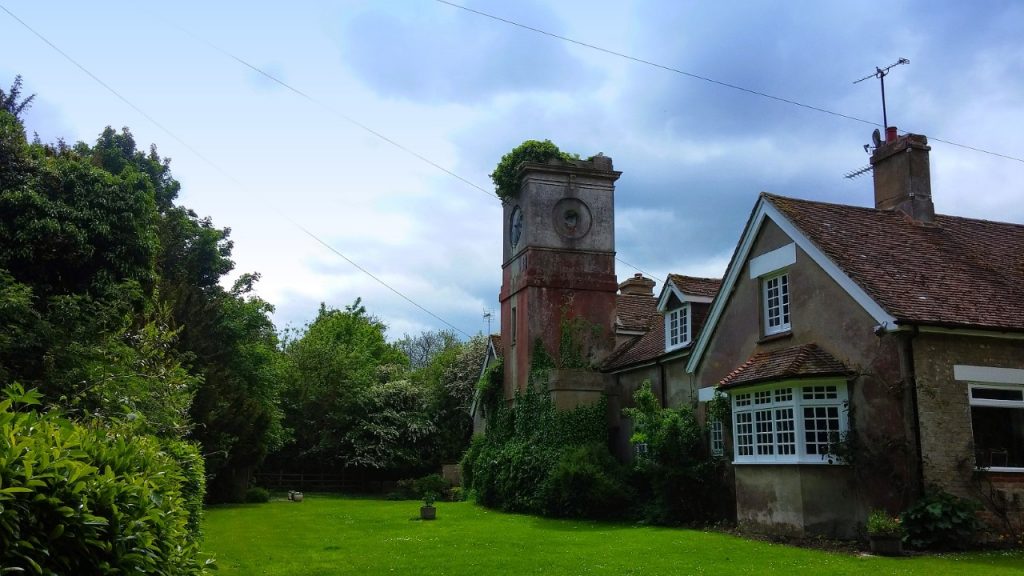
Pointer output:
x,y
559,275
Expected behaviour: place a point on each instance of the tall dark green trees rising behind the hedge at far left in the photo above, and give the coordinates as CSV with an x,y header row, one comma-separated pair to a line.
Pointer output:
x,y
111,301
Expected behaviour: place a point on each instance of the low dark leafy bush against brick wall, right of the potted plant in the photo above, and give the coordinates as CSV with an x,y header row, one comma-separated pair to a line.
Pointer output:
x,y
942,520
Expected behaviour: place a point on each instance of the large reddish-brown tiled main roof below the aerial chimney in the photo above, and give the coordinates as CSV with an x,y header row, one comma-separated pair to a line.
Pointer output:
x,y
957,272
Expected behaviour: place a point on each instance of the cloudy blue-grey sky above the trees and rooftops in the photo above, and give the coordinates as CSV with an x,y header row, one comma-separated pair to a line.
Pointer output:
x,y
380,95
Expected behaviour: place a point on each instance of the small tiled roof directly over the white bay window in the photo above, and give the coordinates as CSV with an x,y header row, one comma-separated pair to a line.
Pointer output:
x,y
795,362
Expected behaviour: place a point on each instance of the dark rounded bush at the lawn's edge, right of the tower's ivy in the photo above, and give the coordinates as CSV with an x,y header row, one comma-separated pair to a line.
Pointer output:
x,y
587,482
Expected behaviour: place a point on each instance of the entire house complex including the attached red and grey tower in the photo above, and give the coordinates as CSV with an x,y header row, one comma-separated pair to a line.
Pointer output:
x,y
869,354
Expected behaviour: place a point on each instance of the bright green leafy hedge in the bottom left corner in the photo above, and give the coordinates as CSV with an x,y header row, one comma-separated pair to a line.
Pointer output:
x,y
80,500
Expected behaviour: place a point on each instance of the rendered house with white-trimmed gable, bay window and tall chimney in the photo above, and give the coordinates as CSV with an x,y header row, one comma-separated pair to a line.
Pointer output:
x,y
869,355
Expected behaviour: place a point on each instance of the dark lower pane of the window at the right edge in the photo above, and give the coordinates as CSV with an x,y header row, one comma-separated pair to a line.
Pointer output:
x,y
999,436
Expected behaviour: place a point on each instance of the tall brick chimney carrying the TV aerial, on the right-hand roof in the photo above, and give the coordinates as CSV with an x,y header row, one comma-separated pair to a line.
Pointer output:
x,y
903,177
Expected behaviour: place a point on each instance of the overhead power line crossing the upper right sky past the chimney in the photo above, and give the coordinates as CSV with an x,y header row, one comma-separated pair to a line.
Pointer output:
x,y
707,79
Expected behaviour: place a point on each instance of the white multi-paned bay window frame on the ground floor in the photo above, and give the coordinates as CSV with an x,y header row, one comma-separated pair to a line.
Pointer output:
x,y
769,406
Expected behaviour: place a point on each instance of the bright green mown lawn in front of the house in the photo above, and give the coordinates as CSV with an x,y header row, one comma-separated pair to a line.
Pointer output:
x,y
329,536
